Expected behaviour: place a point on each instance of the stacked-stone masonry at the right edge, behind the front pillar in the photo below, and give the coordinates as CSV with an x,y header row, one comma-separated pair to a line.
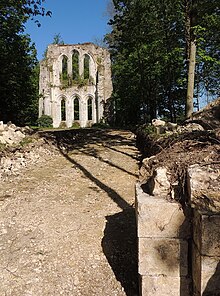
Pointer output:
x,y
205,201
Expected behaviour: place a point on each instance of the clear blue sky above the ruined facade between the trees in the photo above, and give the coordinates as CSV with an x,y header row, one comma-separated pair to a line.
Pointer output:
x,y
77,21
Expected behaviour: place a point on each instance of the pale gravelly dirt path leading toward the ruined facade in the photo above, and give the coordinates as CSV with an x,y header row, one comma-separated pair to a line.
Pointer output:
x,y
67,226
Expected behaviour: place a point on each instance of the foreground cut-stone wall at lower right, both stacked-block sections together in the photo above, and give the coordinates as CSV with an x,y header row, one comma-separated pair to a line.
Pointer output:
x,y
179,246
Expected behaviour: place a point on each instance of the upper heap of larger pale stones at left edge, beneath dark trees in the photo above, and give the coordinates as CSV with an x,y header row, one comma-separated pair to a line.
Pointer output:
x,y
11,134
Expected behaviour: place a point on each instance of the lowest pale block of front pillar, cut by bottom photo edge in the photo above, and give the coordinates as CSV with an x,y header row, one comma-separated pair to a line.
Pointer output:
x,y
164,286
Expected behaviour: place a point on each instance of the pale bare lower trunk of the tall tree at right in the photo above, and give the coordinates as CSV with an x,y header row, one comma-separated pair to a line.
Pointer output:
x,y
191,78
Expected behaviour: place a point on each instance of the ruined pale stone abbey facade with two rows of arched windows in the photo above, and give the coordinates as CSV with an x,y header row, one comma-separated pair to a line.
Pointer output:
x,y
75,83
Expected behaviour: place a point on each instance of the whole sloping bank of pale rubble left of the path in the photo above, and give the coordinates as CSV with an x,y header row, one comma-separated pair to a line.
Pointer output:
x,y
21,147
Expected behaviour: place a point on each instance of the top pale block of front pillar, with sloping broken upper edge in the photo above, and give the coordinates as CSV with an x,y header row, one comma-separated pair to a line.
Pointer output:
x,y
157,217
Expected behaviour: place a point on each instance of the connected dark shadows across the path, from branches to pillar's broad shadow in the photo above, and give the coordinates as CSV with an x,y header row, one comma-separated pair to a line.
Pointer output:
x,y
119,243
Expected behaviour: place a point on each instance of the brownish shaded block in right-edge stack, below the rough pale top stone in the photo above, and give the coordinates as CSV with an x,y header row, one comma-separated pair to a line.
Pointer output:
x,y
206,233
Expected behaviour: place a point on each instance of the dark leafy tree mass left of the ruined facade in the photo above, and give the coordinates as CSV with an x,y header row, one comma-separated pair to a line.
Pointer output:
x,y
18,61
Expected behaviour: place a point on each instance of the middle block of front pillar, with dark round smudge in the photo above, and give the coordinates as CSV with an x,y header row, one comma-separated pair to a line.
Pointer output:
x,y
163,256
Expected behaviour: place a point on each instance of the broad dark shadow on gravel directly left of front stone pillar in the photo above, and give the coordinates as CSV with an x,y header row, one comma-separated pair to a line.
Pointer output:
x,y
119,245
